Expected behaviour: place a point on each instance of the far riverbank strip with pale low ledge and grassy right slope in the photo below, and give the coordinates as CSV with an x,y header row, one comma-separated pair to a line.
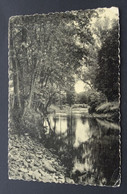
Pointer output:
x,y
107,110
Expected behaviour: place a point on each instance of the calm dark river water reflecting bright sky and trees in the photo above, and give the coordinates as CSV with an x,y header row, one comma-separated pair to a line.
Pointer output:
x,y
88,147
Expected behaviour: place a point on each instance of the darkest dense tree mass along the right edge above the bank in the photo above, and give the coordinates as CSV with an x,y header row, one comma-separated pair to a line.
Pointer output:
x,y
107,80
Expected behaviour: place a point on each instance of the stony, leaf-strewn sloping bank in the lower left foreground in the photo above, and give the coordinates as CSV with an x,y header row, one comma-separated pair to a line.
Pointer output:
x,y
30,160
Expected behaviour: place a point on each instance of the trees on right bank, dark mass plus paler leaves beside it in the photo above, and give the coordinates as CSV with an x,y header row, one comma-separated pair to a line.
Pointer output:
x,y
101,69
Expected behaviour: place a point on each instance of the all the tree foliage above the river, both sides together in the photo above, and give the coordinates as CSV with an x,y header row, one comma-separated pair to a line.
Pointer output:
x,y
49,53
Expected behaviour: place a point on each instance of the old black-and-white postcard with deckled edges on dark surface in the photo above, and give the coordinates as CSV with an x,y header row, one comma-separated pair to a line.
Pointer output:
x,y
64,97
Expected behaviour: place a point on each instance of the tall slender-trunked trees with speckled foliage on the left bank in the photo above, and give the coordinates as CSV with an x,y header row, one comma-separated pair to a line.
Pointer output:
x,y
44,56
